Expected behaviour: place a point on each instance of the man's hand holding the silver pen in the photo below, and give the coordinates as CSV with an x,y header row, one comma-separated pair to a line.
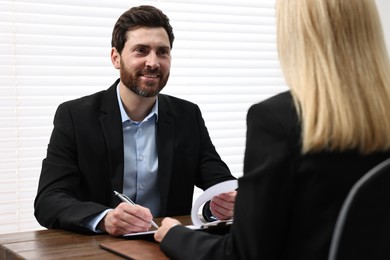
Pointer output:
x,y
125,219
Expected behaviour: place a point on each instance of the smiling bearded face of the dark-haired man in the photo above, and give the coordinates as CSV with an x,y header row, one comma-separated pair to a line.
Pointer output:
x,y
145,61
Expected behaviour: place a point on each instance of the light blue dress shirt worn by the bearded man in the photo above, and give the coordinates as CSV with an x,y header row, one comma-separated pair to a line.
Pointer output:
x,y
140,163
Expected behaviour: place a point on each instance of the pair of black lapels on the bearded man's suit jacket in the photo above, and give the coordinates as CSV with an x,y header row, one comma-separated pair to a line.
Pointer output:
x,y
110,120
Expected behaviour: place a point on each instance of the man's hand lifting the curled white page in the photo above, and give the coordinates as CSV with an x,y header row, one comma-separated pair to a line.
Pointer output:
x,y
222,206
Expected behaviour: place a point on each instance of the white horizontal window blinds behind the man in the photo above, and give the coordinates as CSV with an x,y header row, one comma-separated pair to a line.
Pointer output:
x,y
224,59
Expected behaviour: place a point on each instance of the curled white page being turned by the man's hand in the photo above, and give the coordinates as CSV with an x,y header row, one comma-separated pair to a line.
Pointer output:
x,y
207,195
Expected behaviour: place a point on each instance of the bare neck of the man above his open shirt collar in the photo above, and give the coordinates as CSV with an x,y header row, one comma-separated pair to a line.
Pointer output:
x,y
136,107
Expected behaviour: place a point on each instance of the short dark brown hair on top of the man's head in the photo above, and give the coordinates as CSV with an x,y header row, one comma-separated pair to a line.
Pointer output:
x,y
136,17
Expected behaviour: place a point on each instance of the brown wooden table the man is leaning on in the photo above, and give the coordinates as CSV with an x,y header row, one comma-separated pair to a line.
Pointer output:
x,y
60,244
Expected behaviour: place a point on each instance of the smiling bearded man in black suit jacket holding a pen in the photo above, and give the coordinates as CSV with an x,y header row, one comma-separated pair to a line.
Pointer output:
x,y
152,147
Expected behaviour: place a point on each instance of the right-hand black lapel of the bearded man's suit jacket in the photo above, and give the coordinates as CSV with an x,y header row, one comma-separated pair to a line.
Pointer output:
x,y
165,149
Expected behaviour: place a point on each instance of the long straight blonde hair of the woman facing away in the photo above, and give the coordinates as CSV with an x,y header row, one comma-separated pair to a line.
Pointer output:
x,y
334,59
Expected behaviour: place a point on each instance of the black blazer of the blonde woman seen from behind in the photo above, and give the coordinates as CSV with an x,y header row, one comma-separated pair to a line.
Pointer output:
x,y
287,204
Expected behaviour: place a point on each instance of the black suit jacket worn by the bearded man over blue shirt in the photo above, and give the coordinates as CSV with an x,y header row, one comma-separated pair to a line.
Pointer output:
x,y
84,161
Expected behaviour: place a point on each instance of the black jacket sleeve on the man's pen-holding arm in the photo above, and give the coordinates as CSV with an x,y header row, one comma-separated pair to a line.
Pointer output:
x,y
59,201
